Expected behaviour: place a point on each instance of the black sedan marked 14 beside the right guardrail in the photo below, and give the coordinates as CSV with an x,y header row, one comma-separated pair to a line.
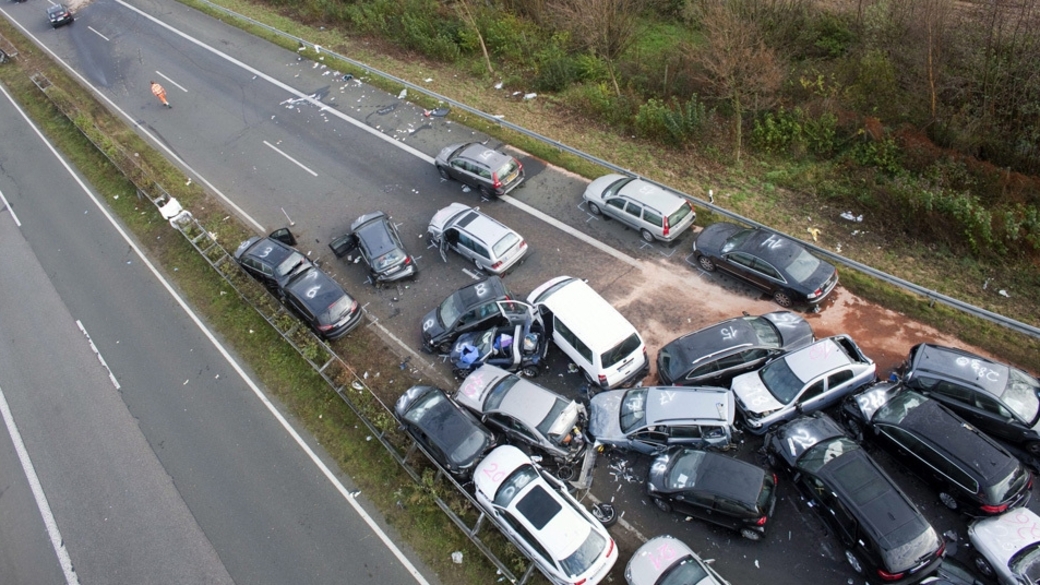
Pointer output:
x,y
779,266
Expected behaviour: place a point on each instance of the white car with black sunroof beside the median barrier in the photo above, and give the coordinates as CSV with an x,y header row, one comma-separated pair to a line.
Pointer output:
x,y
536,513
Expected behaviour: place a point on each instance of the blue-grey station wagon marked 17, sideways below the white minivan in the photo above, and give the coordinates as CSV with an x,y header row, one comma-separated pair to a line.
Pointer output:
x,y
649,420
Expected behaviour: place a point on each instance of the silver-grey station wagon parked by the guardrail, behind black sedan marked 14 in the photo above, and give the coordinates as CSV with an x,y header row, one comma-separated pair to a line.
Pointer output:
x,y
655,213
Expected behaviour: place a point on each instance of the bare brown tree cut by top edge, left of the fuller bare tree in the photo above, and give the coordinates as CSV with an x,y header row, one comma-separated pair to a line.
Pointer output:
x,y
605,28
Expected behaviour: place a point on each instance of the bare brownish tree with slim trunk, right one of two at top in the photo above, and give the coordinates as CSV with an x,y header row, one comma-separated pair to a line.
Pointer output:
x,y
738,65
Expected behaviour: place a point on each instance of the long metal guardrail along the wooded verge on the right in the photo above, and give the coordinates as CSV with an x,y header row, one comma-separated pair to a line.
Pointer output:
x,y
933,296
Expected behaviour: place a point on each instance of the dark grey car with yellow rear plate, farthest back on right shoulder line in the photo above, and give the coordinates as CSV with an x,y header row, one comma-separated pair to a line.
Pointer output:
x,y
492,173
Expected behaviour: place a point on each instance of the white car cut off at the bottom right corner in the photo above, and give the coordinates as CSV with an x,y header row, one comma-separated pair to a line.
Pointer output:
x,y
1009,547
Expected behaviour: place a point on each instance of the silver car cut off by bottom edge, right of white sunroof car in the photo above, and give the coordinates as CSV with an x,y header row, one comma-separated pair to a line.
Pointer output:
x,y
666,561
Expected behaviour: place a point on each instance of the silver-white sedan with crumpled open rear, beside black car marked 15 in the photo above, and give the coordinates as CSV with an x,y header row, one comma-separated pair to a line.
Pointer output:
x,y
803,381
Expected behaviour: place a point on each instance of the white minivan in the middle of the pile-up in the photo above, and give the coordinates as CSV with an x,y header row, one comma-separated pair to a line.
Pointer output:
x,y
597,338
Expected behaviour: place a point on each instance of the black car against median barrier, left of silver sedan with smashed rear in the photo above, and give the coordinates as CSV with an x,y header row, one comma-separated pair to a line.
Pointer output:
x,y
453,438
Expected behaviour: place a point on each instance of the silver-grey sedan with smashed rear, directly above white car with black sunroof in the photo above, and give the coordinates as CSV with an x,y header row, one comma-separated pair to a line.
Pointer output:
x,y
527,415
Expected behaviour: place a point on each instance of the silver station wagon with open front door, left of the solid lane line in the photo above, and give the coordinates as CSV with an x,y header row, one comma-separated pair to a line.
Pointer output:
x,y
491,246
